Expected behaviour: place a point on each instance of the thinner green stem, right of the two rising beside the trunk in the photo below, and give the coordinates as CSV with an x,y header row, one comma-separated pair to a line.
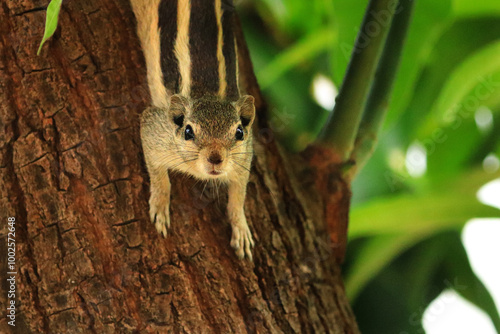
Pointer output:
x,y
378,100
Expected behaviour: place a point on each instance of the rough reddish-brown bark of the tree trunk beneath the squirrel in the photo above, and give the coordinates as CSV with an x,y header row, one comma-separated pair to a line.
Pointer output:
x,y
72,173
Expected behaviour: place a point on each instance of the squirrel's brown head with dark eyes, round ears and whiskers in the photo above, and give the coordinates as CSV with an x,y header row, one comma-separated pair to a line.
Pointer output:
x,y
212,137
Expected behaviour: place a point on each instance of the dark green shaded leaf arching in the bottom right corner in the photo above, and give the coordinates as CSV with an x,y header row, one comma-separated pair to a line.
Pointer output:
x,y
405,287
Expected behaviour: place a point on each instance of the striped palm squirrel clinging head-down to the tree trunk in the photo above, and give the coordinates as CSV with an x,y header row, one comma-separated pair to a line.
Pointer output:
x,y
198,123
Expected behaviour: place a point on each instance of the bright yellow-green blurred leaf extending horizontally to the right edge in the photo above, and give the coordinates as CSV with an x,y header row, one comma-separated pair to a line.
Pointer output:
x,y
425,212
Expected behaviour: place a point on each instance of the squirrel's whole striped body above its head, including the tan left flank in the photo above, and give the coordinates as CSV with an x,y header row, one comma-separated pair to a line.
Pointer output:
x,y
189,48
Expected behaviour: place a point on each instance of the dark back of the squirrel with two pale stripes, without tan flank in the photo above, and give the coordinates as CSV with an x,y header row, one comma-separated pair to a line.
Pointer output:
x,y
198,55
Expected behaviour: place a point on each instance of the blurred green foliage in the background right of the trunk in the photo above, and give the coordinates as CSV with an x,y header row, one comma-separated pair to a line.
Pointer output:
x,y
405,245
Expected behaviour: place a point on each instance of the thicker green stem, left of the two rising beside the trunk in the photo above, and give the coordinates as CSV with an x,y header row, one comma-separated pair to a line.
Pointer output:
x,y
340,131
